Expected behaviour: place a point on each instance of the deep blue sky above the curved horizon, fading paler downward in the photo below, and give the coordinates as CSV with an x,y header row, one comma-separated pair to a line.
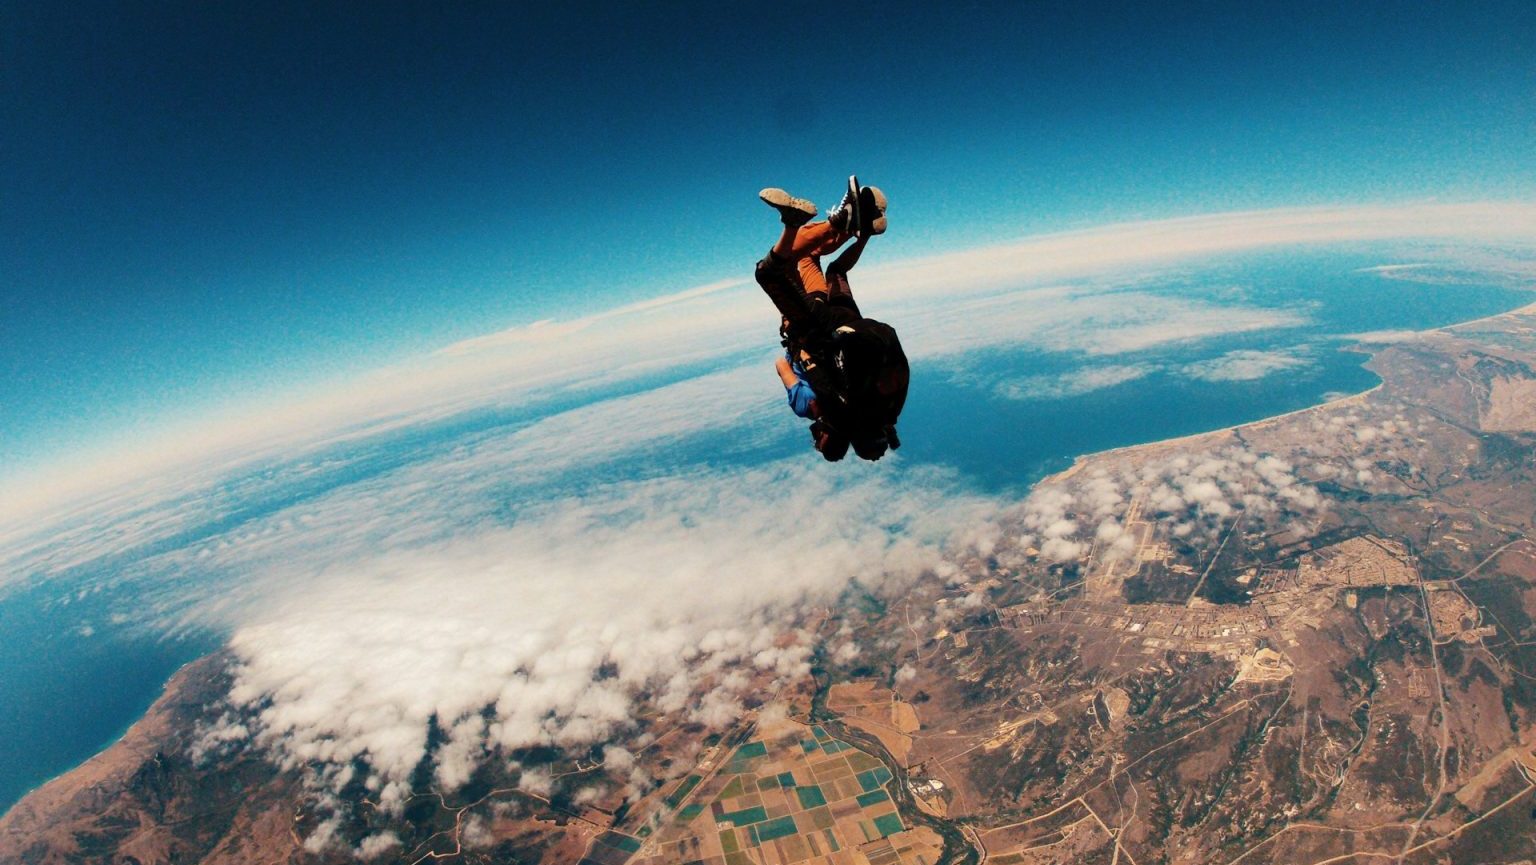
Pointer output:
x,y
200,202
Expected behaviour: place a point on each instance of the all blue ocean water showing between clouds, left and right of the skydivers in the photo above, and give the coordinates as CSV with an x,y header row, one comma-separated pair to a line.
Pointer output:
x,y
71,680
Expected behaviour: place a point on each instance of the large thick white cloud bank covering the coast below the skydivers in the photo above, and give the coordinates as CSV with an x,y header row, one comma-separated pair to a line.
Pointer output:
x,y
555,629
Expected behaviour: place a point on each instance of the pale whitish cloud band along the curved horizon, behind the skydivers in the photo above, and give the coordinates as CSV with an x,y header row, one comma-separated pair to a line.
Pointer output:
x,y
552,356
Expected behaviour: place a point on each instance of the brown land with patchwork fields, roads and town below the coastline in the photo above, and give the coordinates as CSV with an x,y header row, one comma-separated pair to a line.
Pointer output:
x,y
1345,677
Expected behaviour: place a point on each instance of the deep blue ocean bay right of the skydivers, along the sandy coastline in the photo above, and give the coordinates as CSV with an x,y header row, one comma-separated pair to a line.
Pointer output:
x,y
1031,439
